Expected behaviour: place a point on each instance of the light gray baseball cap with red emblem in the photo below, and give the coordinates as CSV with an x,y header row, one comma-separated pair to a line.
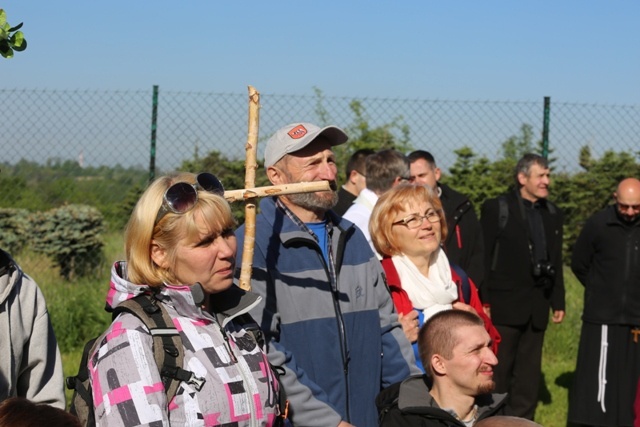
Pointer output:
x,y
296,136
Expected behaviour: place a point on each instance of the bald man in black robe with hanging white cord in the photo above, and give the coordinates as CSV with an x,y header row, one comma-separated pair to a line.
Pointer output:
x,y
606,260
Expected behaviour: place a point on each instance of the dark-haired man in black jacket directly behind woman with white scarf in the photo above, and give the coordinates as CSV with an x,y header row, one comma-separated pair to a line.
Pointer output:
x,y
464,244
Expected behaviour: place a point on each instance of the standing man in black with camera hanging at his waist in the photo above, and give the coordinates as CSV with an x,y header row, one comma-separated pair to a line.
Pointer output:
x,y
523,261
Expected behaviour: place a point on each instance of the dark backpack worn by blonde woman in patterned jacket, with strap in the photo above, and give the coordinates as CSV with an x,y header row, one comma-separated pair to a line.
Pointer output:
x,y
167,352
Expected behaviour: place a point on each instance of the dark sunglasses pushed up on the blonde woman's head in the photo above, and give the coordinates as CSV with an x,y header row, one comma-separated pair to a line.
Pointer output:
x,y
181,197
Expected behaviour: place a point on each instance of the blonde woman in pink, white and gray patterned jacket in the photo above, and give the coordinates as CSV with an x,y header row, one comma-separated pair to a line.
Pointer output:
x,y
180,250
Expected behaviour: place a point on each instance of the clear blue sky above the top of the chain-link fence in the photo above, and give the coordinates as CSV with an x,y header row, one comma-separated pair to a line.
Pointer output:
x,y
574,51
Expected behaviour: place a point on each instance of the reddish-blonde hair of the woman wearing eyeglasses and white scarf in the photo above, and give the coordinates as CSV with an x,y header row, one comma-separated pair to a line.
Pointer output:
x,y
389,205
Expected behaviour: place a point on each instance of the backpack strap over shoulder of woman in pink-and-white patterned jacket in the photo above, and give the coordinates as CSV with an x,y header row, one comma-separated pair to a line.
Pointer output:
x,y
167,344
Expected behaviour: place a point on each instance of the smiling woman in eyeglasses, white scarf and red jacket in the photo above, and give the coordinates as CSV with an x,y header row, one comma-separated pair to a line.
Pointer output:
x,y
407,228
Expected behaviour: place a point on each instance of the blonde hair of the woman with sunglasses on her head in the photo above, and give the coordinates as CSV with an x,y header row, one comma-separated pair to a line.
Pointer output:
x,y
142,232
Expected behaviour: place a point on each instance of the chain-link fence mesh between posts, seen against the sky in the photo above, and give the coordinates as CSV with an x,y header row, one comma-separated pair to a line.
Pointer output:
x,y
113,128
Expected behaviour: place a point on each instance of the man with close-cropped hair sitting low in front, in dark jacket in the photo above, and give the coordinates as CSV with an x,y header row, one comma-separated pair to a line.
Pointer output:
x,y
455,350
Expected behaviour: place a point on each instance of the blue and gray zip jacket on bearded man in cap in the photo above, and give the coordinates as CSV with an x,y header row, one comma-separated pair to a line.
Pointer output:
x,y
339,340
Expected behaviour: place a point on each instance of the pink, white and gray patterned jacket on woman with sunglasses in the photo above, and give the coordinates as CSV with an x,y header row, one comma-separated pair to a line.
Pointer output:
x,y
240,388
